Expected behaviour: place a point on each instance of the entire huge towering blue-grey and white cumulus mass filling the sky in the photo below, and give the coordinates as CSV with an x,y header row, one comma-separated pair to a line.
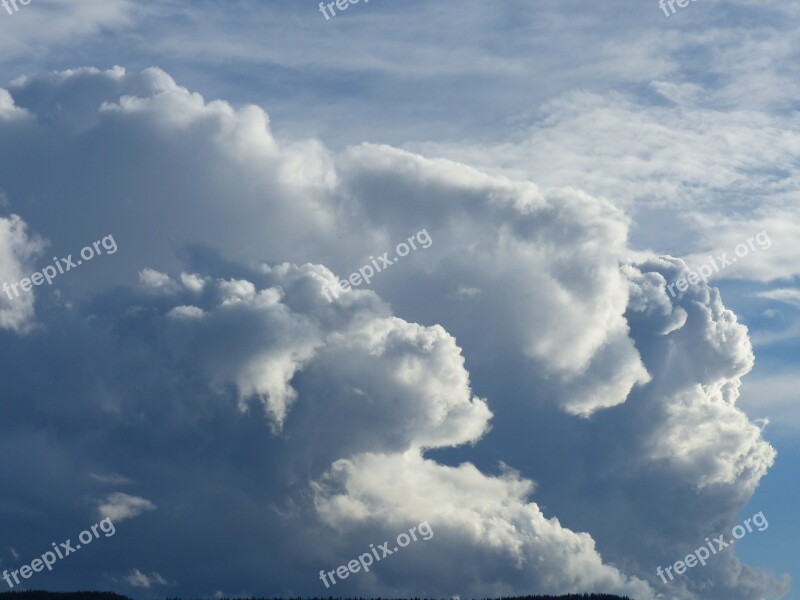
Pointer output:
x,y
205,363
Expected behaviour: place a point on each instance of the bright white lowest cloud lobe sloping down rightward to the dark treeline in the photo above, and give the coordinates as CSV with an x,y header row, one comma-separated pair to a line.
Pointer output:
x,y
484,522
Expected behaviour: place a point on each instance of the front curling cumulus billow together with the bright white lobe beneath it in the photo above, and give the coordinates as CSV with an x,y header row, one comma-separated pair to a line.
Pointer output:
x,y
398,388
